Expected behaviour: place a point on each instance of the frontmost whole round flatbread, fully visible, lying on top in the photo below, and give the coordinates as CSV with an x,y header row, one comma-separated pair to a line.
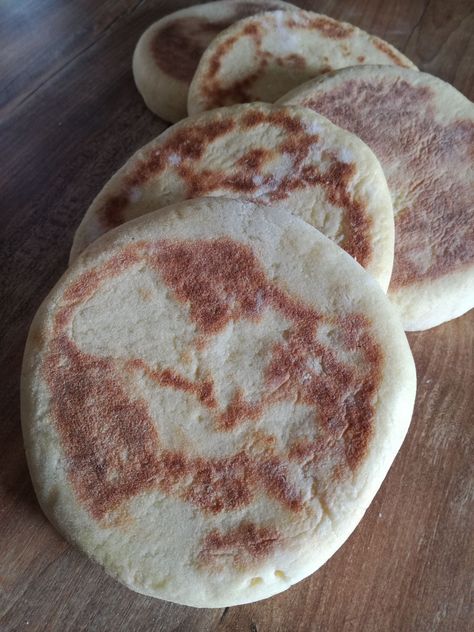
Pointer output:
x,y
211,398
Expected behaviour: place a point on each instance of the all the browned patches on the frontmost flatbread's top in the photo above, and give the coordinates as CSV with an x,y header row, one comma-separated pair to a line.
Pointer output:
x,y
109,437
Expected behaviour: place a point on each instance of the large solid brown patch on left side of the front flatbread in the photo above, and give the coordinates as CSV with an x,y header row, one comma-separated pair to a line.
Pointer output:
x,y
93,413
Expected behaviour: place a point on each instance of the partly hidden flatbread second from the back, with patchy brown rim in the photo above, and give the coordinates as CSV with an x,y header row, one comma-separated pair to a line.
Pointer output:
x,y
262,57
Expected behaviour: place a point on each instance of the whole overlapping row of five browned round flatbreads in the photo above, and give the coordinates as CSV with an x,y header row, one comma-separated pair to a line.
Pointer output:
x,y
217,386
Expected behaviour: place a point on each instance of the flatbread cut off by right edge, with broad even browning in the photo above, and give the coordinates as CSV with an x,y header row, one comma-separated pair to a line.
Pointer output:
x,y
422,130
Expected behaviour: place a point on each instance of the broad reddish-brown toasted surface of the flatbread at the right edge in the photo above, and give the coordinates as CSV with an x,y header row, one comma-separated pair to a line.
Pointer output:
x,y
425,162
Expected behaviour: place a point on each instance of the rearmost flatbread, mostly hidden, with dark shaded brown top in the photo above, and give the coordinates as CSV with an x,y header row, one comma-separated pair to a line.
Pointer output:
x,y
168,52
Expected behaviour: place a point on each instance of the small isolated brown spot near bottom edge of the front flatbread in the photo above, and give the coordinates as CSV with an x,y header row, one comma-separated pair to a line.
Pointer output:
x,y
244,545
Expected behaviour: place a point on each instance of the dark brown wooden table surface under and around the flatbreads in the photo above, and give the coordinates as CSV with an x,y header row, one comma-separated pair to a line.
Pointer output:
x,y
70,117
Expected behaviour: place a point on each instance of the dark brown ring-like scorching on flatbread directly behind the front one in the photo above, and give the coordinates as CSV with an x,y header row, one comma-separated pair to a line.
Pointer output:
x,y
190,143
